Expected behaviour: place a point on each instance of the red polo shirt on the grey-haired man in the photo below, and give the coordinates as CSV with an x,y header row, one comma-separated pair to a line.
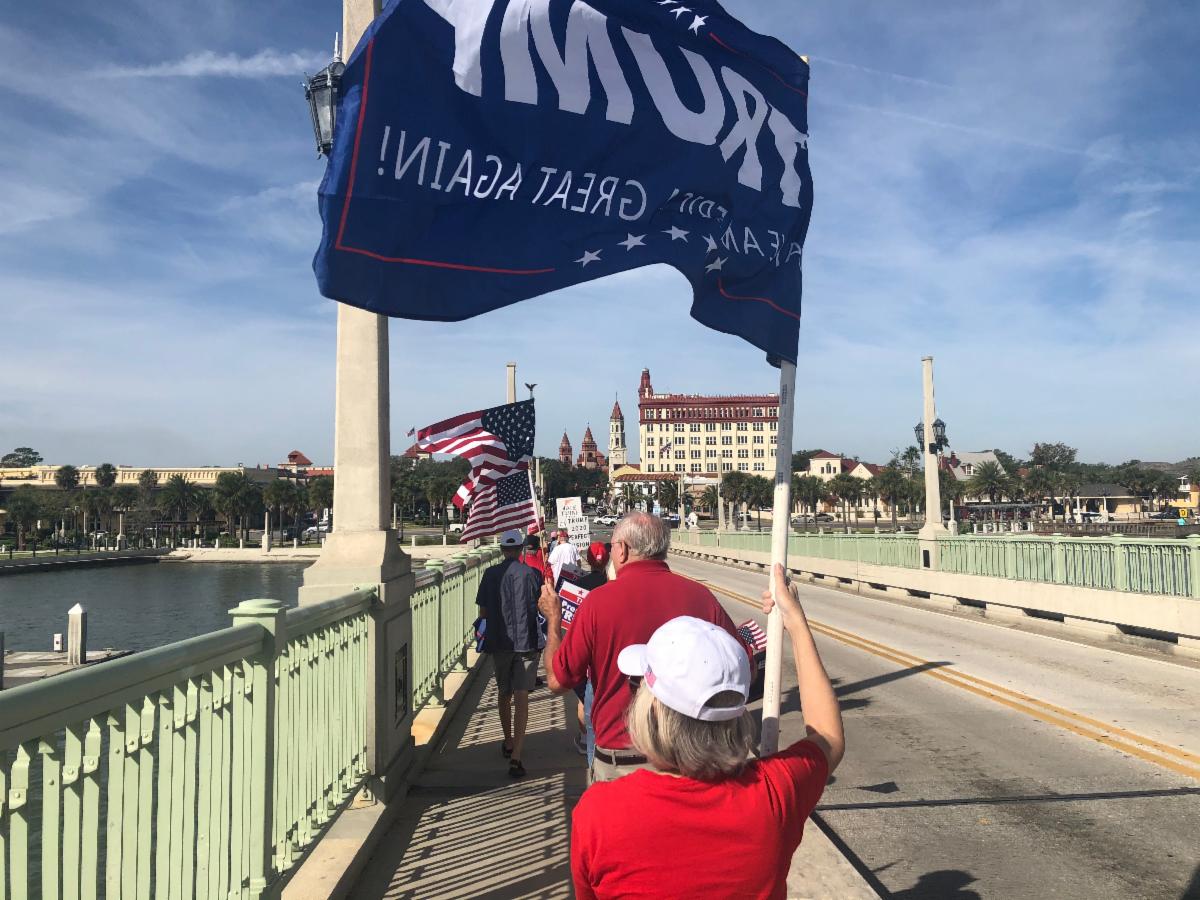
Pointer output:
x,y
645,596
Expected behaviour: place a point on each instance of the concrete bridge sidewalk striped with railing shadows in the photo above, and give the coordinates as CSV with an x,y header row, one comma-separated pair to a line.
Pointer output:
x,y
469,831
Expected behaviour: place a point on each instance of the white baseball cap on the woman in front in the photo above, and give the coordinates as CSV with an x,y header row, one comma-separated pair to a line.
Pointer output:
x,y
687,663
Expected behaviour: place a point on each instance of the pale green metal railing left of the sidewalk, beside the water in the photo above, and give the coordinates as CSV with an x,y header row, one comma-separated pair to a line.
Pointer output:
x,y
207,767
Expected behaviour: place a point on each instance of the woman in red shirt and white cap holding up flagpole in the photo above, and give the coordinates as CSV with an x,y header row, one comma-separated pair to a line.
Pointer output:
x,y
706,823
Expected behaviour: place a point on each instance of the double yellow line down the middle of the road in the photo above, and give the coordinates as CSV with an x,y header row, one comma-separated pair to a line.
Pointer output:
x,y
1127,742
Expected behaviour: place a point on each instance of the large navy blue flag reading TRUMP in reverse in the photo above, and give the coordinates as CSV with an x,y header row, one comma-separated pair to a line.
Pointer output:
x,y
493,151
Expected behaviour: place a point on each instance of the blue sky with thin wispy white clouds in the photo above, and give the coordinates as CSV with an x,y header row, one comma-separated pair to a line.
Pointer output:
x,y
1010,187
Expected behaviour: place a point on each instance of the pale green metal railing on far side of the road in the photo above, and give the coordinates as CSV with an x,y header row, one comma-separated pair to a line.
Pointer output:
x,y
1144,566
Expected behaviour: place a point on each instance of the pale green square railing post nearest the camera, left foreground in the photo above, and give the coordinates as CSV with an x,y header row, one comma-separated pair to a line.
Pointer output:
x,y
259,781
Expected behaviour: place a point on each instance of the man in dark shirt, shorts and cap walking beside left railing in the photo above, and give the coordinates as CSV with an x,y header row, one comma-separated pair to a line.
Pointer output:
x,y
508,603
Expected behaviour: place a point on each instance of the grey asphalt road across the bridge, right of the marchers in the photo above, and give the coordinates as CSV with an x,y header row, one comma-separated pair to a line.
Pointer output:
x,y
986,761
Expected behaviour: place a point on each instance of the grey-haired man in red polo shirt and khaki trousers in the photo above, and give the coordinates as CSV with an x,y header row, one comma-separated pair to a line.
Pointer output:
x,y
623,613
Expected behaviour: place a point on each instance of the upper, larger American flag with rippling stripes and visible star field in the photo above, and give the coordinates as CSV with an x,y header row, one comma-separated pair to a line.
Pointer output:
x,y
496,442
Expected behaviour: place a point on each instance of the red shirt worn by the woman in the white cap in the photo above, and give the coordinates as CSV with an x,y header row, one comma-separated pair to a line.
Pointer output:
x,y
650,835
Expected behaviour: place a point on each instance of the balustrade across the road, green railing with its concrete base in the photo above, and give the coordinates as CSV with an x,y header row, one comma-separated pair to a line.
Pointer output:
x,y
1107,586
